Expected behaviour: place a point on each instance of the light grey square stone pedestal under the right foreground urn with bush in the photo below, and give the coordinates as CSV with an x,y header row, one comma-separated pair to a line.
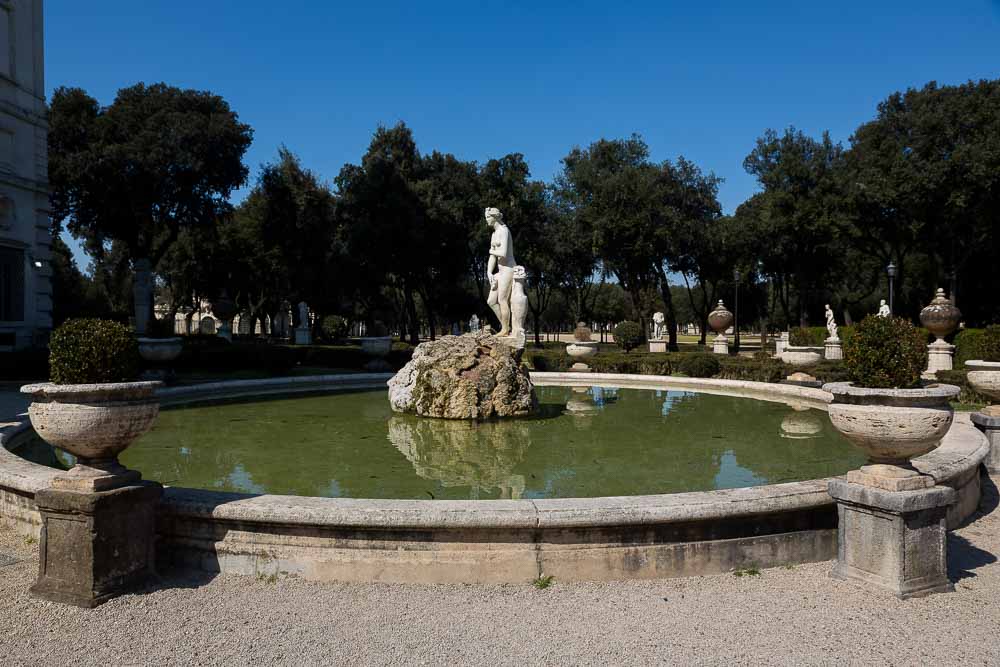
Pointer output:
x,y
893,540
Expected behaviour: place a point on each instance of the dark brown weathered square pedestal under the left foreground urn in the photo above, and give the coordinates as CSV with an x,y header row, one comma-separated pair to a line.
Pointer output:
x,y
95,546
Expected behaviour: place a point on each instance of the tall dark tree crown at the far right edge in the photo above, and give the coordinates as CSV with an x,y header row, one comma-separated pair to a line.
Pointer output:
x,y
924,183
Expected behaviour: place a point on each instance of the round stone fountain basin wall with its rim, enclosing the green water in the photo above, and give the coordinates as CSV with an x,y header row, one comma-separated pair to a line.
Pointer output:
x,y
609,538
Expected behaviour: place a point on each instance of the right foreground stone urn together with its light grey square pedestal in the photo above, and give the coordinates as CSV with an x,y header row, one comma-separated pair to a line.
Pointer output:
x,y
892,532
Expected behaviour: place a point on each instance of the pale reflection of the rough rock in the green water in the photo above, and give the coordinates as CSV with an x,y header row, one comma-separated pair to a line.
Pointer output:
x,y
464,454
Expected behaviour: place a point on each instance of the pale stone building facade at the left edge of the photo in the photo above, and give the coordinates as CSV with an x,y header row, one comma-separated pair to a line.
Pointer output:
x,y
25,233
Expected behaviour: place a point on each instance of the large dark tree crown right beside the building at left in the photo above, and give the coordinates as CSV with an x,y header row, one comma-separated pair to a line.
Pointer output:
x,y
155,161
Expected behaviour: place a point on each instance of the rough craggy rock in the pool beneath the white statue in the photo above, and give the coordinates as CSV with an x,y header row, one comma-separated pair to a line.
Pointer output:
x,y
475,376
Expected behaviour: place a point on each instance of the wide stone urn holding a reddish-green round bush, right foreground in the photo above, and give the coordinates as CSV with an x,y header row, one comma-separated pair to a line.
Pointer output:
x,y
891,426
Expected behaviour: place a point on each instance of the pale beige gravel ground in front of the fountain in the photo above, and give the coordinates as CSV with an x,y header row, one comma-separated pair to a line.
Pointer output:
x,y
782,616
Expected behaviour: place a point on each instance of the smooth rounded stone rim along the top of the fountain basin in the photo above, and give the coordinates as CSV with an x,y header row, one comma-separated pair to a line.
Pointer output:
x,y
963,448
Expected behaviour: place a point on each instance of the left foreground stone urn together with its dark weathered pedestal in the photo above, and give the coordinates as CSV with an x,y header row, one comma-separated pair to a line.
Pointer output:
x,y
98,519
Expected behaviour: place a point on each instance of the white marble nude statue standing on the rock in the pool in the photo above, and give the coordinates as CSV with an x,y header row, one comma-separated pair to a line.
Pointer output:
x,y
507,297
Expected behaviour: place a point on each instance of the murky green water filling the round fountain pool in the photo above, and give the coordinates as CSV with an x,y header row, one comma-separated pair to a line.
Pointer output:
x,y
585,442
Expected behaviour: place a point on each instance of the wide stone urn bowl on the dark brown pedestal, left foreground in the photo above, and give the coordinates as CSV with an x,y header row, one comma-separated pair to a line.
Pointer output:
x,y
94,423
